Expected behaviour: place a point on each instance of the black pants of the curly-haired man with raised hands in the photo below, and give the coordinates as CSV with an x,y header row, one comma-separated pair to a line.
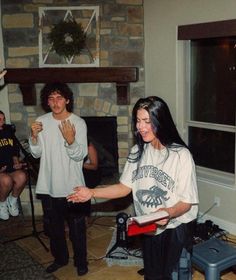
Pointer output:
x,y
56,212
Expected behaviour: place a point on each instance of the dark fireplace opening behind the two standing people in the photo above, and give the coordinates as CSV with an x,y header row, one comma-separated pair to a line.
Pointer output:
x,y
103,133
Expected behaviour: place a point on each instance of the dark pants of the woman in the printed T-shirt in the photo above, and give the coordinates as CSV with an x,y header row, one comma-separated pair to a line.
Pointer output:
x,y
161,253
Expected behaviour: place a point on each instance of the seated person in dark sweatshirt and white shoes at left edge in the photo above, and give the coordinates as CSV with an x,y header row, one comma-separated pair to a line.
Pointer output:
x,y
12,177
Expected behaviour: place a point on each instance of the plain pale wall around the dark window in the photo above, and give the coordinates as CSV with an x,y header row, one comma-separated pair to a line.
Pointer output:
x,y
162,75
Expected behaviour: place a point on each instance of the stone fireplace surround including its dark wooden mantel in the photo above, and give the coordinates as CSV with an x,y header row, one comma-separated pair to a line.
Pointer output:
x,y
121,39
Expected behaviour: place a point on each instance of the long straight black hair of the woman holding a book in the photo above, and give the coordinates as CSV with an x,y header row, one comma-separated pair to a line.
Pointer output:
x,y
162,124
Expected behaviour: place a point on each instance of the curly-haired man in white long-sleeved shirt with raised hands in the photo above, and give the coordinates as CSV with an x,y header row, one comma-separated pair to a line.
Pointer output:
x,y
59,139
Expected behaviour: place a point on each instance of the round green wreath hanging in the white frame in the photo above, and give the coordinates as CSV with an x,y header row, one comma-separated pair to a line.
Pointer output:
x,y
67,38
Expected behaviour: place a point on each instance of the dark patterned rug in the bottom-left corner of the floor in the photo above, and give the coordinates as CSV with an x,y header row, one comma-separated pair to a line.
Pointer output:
x,y
17,264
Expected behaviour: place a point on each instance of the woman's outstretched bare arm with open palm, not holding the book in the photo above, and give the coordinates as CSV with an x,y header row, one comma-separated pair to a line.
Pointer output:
x,y
83,194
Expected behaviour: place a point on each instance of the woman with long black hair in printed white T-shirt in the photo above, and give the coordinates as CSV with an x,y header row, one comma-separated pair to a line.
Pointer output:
x,y
160,173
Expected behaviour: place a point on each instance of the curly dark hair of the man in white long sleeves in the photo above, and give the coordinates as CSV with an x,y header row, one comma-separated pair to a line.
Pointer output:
x,y
62,89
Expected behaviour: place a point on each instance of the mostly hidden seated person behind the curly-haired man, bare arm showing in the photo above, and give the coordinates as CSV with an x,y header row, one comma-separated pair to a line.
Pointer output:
x,y
92,174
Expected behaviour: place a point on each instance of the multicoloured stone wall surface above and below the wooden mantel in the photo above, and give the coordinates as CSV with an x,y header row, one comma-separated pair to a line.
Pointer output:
x,y
121,32
